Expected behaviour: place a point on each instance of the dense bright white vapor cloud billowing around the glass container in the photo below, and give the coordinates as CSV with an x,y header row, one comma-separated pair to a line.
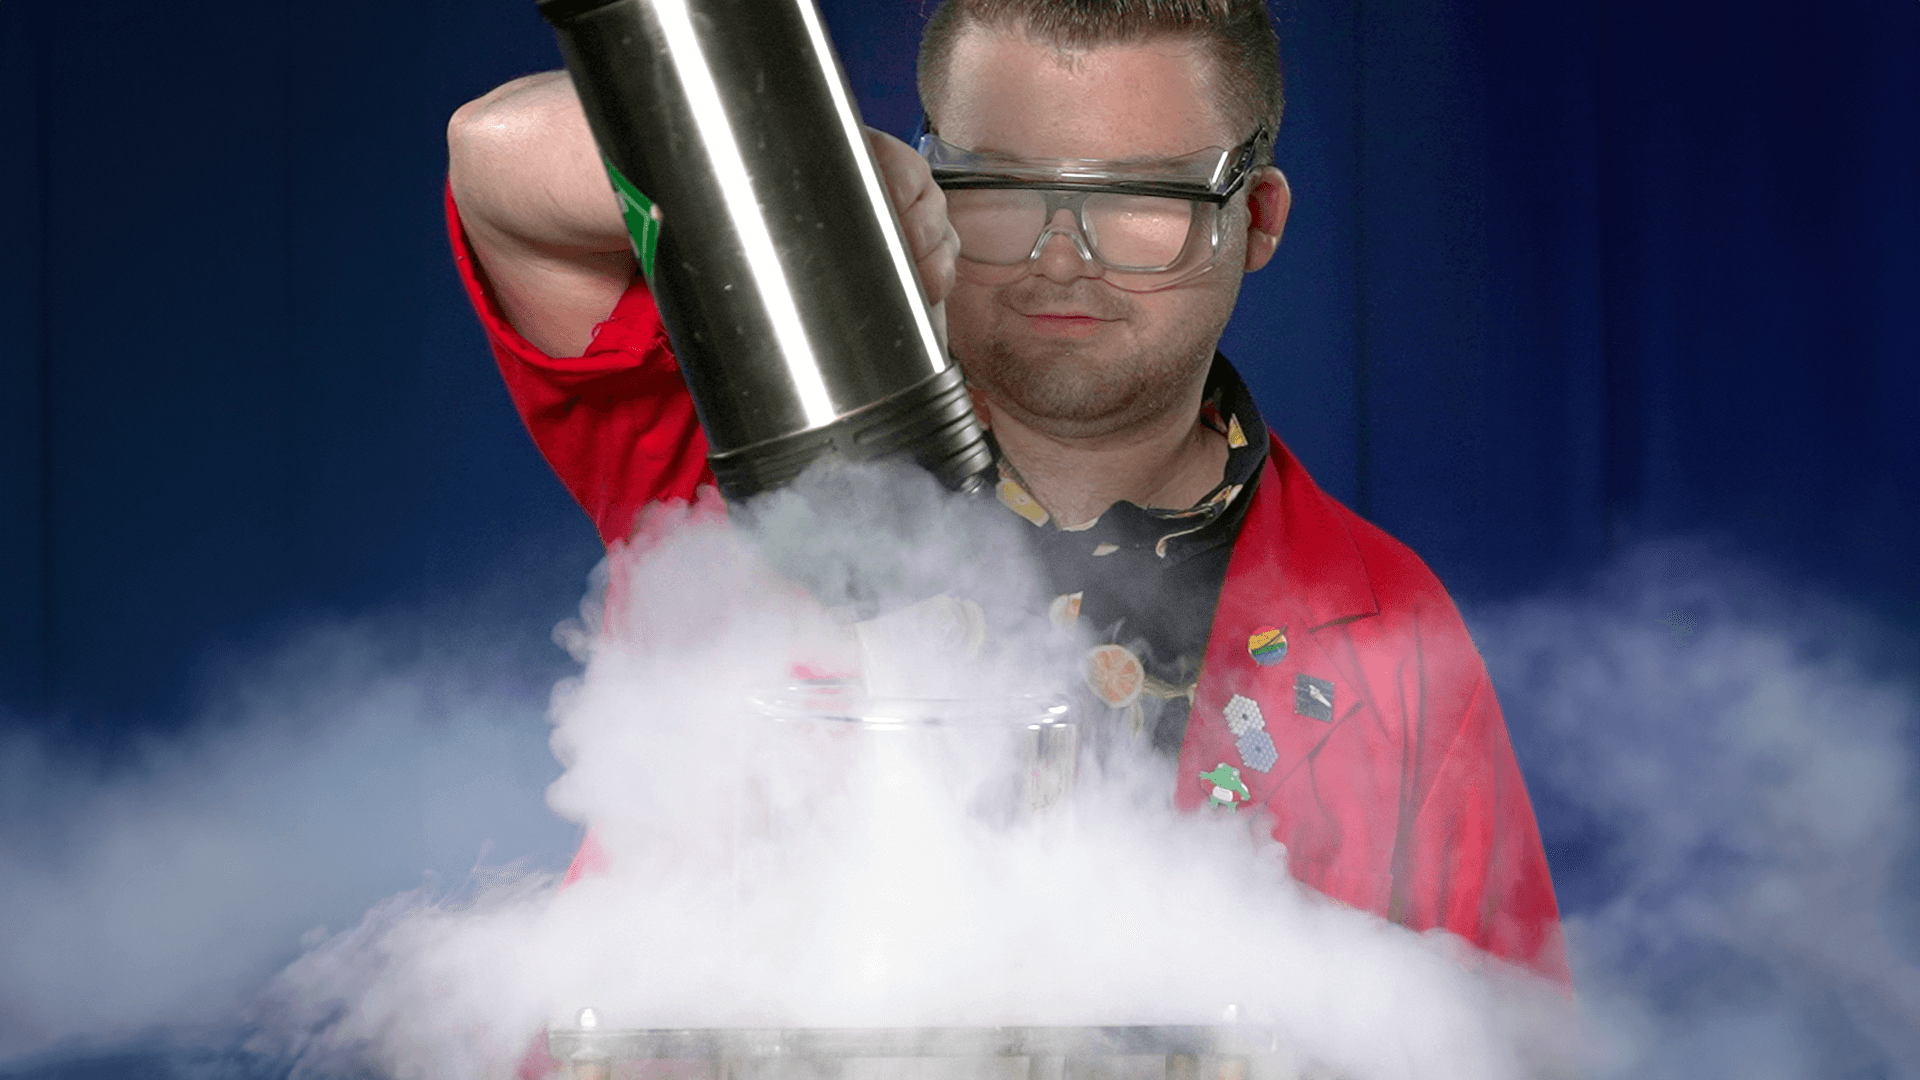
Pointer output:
x,y
788,875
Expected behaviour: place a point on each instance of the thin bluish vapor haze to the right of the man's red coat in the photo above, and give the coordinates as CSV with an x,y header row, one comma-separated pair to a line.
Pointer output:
x,y
1746,789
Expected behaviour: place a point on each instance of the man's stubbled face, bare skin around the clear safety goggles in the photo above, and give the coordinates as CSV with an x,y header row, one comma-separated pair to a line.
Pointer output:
x,y
1059,347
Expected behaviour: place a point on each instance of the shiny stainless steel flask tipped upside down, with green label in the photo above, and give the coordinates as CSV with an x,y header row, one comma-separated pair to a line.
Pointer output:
x,y
767,237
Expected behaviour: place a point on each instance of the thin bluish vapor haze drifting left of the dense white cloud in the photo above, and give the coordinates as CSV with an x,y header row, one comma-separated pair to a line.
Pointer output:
x,y
158,891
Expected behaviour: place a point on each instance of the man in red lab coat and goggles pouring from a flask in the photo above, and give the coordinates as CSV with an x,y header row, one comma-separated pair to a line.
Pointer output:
x,y
1285,652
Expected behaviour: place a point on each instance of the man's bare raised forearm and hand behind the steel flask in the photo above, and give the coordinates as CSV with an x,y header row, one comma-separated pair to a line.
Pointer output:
x,y
548,232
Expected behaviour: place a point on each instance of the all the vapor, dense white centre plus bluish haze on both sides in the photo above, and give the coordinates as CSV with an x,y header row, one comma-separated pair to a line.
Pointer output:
x,y
1725,764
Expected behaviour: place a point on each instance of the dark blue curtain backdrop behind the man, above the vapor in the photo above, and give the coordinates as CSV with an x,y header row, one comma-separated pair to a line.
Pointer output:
x,y
1558,276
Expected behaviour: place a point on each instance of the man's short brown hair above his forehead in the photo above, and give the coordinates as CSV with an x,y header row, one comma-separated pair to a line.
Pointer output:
x,y
1237,36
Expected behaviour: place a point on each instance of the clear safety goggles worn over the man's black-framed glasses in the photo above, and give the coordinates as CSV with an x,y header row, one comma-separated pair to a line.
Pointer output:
x,y
1147,226
